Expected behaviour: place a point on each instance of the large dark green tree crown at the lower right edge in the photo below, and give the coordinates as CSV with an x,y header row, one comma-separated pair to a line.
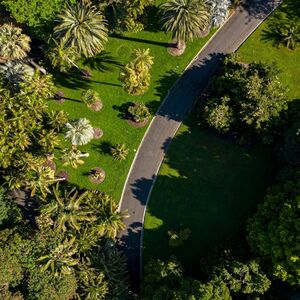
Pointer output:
x,y
273,232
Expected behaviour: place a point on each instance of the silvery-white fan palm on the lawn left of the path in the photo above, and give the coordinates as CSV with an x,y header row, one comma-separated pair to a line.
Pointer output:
x,y
79,132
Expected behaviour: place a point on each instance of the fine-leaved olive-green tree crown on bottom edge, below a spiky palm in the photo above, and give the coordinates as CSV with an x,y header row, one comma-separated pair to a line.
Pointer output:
x,y
43,285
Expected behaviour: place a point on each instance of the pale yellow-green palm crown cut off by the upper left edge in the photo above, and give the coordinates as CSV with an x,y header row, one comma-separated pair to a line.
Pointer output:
x,y
13,43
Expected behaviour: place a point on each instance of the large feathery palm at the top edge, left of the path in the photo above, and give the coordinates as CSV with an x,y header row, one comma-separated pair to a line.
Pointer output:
x,y
185,19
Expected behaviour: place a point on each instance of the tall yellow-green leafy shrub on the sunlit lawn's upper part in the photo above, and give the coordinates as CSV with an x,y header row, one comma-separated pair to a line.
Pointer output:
x,y
135,76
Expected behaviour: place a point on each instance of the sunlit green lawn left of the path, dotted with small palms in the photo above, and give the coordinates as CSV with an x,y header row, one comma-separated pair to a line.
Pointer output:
x,y
105,81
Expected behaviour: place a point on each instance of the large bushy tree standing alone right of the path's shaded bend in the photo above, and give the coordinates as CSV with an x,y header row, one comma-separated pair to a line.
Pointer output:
x,y
246,99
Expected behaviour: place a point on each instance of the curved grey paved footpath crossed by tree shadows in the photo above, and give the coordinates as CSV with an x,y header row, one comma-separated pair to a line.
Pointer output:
x,y
167,120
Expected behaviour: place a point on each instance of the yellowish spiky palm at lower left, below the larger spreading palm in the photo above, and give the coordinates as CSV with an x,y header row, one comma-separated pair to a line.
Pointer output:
x,y
61,259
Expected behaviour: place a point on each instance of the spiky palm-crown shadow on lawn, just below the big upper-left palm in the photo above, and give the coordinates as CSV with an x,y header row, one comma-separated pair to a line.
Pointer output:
x,y
103,62
